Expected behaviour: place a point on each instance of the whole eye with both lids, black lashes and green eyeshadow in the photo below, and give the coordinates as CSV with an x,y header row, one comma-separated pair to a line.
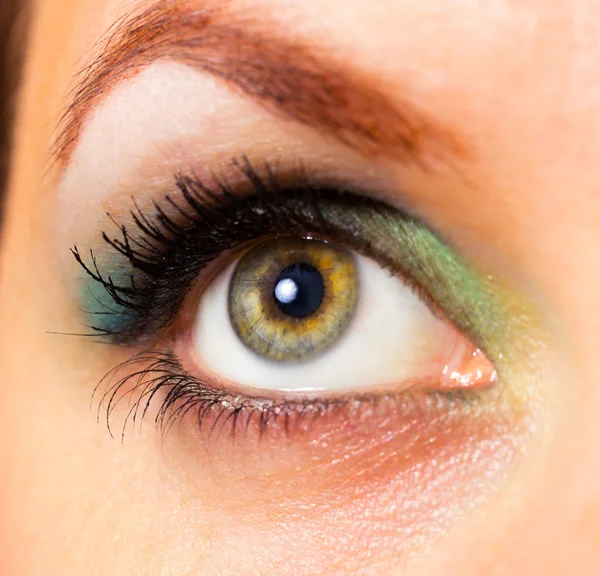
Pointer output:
x,y
249,305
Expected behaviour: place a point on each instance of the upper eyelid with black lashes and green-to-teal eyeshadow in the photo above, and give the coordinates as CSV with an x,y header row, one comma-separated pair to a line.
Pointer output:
x,y
153,261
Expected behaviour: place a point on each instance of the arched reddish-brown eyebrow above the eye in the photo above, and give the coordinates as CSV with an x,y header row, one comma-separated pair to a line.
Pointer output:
x,y
298,81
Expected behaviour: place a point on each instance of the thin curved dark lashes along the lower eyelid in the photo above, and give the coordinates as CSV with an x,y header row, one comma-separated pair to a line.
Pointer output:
x,y
223,413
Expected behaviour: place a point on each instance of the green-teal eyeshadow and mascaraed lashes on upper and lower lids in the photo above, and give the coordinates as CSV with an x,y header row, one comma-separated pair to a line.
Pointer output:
x,y
135,291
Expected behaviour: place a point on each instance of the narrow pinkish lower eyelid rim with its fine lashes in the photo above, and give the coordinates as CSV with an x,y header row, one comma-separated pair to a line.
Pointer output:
x,y
155,382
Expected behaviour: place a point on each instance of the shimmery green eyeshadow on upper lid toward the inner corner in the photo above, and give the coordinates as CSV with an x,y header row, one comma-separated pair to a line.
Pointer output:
x,y
494,317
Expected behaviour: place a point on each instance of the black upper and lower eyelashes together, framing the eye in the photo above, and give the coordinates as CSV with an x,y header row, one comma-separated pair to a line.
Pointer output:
x,y
170,251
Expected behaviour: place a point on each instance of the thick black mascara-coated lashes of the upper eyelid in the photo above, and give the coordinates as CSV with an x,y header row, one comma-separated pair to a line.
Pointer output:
x,y
180,244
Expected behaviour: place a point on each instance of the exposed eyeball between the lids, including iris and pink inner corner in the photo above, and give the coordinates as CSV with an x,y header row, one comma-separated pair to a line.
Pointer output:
x,y
303,315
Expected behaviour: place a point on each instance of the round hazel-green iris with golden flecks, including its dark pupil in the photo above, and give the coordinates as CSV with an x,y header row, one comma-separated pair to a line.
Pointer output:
x,y
292,298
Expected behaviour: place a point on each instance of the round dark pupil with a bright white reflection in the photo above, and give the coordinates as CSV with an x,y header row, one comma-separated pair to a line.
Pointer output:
x,y
299,290
